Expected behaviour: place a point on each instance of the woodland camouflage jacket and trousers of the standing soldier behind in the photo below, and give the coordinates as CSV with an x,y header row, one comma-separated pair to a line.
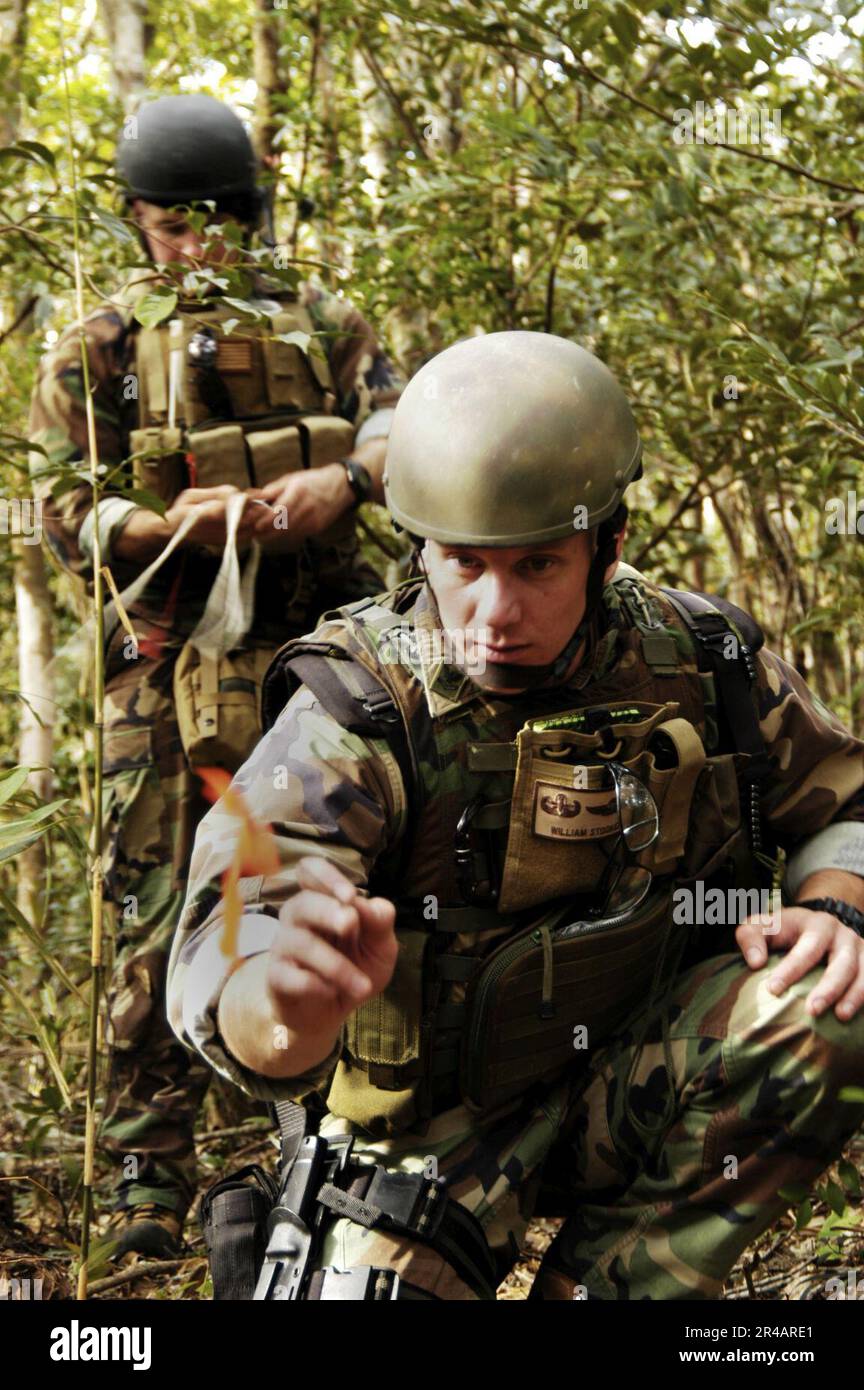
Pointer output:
x,y
152,800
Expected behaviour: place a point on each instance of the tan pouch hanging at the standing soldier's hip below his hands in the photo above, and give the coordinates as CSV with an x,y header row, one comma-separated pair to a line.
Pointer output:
x,y
219,704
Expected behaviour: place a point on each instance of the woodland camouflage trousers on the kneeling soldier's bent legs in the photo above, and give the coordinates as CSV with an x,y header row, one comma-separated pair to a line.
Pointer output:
x,y
666,1159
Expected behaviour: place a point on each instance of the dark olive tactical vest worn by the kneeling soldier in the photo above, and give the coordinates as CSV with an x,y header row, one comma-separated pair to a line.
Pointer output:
x,y
509,817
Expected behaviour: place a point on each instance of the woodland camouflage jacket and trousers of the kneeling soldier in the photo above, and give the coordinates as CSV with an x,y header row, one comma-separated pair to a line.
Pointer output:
x,y
635,1146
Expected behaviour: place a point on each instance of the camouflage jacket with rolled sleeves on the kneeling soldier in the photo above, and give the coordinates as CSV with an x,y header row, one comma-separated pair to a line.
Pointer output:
x,y
334,793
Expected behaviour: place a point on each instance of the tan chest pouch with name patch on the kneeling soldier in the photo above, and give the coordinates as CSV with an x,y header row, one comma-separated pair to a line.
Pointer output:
x,y
563,800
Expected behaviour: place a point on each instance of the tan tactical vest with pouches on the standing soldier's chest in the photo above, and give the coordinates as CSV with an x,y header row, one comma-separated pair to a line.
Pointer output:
x,y
263,408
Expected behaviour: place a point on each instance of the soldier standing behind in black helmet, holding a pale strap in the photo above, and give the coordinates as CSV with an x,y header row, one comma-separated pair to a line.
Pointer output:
x,y
190,149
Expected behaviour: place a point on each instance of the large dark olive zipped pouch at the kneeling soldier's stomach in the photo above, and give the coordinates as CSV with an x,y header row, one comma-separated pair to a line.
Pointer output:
x,y
554,995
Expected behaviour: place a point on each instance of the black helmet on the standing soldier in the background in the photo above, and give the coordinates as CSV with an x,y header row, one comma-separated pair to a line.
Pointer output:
x,y
181,149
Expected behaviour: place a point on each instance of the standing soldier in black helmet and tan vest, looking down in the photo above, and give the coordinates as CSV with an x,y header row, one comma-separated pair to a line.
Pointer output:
x,y
266,433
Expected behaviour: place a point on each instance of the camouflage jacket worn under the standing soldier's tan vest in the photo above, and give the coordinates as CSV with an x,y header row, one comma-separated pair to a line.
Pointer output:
x,y
365,380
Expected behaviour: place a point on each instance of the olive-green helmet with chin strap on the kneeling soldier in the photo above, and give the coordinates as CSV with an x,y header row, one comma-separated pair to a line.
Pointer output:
x,y
512,440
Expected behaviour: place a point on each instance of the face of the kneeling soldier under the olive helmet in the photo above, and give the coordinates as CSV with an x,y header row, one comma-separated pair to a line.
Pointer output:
x,y
515,605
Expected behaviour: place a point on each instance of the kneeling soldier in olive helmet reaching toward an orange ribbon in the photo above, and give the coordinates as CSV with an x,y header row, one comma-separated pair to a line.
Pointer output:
x,y
512,783
